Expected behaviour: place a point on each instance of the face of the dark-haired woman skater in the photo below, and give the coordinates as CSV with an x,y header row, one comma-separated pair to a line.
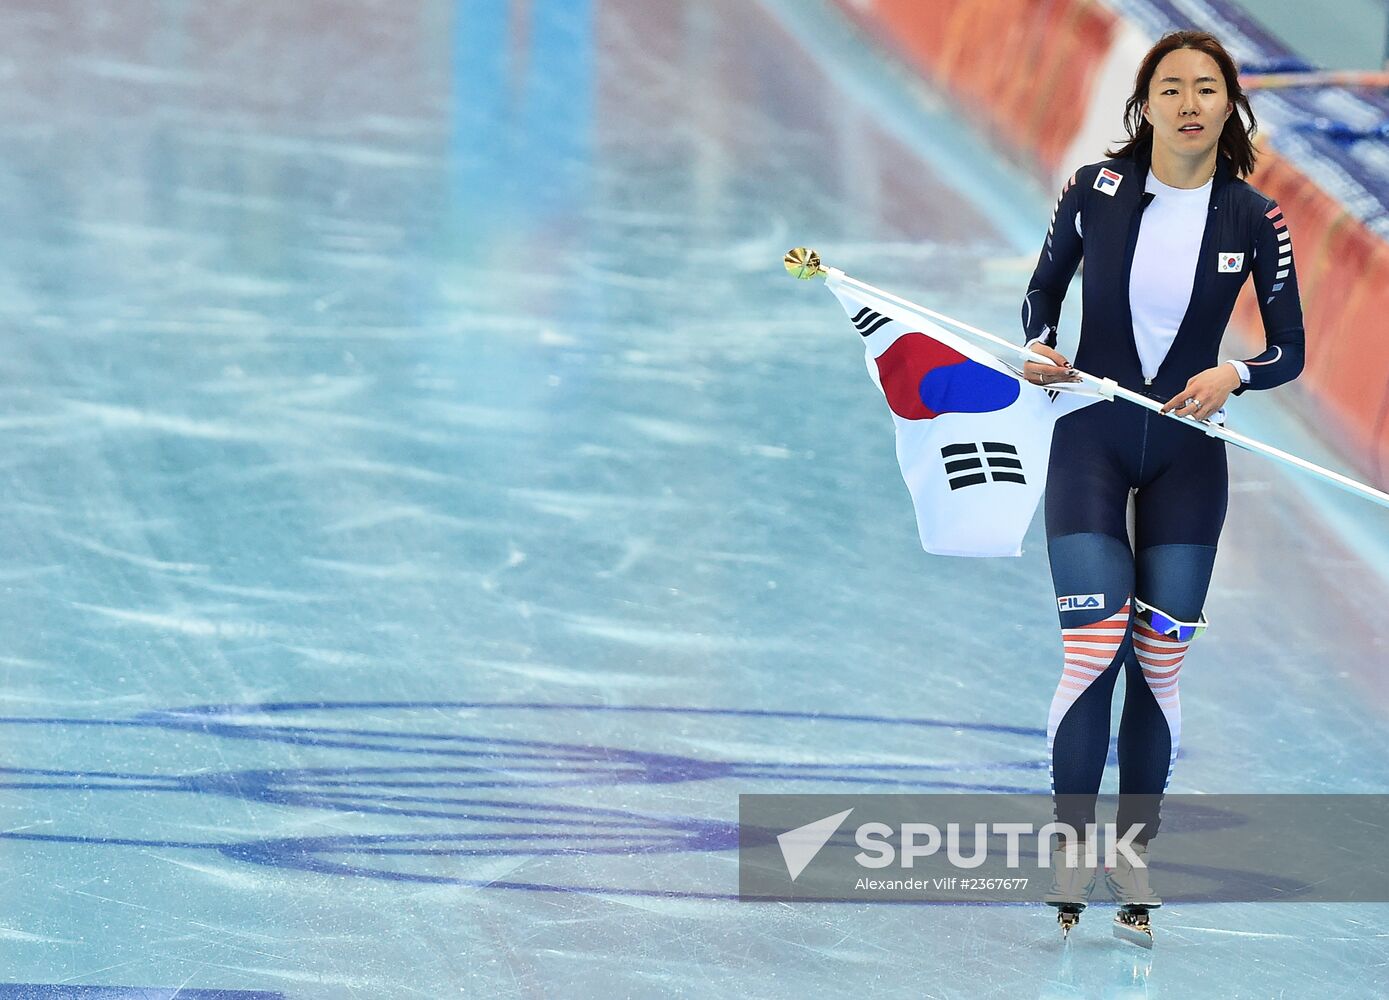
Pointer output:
x,y
1188,103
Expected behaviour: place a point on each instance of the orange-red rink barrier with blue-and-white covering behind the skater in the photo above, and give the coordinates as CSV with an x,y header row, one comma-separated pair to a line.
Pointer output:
x,y
1330,177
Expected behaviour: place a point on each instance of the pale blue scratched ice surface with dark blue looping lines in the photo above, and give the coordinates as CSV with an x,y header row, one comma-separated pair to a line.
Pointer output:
x,y
430,506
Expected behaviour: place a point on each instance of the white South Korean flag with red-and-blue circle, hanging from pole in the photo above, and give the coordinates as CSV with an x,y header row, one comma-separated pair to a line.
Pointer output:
x,y
973,437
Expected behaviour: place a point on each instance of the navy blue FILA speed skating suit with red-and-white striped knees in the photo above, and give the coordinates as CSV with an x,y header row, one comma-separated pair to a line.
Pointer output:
x,y
1177,474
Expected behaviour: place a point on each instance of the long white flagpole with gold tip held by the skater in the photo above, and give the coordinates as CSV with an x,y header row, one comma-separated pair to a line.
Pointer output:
x,y
804,263
